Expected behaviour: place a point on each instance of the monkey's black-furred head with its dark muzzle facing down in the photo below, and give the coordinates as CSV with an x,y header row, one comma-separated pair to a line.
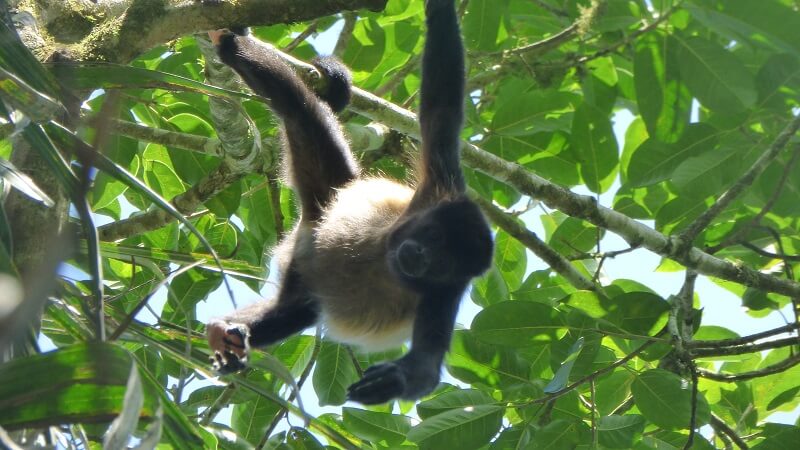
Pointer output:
x,y
442,246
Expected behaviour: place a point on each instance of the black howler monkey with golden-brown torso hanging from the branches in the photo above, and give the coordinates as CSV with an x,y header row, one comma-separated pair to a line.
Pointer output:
x,y
373,260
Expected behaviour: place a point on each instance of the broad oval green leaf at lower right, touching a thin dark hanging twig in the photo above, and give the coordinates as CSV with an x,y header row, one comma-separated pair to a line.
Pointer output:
x,y
665,399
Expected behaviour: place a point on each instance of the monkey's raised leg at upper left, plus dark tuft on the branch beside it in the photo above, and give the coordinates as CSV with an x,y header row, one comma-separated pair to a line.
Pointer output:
x,y
319,157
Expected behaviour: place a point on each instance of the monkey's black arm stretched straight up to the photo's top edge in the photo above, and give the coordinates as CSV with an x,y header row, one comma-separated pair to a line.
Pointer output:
x,y
441,113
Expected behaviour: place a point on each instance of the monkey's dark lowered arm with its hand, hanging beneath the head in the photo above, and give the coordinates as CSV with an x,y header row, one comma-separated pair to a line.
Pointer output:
x,y
417,373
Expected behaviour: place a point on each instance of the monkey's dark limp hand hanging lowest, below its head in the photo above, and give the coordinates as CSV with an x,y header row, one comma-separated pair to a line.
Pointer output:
x,y
409,377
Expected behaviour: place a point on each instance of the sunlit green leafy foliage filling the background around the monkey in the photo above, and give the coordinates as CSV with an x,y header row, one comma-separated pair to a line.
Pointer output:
x,y
556,358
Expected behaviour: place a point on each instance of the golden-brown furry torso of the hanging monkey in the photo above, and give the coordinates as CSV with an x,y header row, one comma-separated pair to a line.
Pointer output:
x,y
344,261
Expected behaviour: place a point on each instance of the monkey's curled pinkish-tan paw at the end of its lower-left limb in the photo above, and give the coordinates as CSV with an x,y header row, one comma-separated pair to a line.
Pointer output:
x,y
228,342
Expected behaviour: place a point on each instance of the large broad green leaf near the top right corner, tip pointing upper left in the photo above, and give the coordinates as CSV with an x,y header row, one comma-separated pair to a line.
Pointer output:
x,y
715,76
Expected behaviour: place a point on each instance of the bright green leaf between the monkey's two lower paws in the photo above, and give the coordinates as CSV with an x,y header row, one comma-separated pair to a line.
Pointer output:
x,y
333,373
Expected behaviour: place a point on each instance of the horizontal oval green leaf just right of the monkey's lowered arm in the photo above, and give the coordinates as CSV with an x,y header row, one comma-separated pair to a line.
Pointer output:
x,y
518,324
